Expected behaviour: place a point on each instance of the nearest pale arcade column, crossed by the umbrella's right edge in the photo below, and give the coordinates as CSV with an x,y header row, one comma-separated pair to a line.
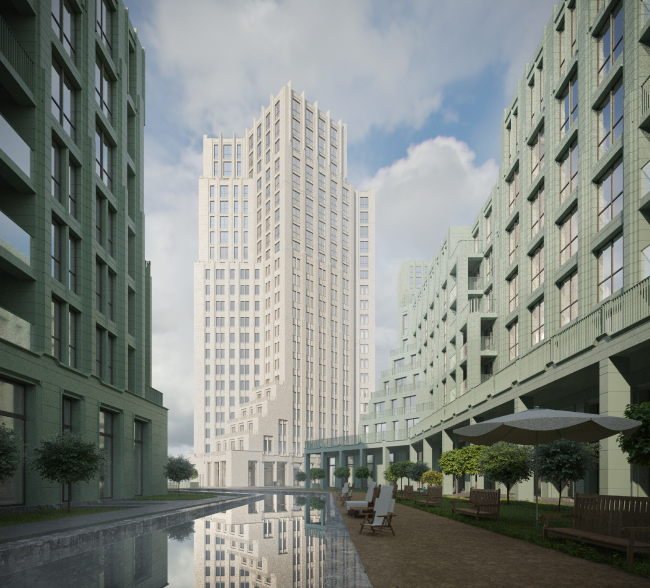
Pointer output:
x,y
614,396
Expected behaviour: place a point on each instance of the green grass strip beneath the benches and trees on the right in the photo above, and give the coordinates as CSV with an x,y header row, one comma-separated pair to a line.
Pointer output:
x,y
518,520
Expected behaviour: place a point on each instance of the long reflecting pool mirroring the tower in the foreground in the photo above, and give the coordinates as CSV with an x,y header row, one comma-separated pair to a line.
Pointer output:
x,y
275,541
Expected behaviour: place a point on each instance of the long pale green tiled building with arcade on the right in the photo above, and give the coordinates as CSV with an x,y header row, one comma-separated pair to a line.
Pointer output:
x,y
545,299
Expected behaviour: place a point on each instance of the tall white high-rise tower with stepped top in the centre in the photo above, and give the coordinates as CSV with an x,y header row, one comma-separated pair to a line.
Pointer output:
x,y
284,307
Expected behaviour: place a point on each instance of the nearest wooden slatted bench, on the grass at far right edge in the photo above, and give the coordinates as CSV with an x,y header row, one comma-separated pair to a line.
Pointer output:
x,y
617,522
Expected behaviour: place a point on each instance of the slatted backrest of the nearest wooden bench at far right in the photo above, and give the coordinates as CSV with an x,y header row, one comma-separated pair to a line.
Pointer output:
x,y
607,515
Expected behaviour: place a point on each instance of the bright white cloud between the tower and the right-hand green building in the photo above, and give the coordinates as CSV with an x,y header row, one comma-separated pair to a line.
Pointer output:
x,y
418,198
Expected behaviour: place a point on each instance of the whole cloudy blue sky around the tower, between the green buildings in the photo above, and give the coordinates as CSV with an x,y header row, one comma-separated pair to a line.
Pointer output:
x,y
421,85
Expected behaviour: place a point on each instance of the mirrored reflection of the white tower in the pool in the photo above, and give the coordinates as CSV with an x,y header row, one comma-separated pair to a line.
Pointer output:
x,y
280,541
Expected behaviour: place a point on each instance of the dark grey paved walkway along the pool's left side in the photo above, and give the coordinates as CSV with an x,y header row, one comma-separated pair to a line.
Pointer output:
x,y
132,509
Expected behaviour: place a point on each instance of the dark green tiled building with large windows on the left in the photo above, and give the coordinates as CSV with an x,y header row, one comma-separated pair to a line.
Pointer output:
x,y
75,290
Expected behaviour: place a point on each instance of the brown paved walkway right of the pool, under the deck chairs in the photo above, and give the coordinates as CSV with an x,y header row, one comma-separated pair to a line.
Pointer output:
x,y
429,550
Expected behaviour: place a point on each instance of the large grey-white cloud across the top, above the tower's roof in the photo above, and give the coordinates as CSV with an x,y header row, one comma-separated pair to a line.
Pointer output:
x,y
373,63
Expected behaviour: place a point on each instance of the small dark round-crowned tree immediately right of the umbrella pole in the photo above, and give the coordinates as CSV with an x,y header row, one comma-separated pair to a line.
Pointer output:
x,y
565,461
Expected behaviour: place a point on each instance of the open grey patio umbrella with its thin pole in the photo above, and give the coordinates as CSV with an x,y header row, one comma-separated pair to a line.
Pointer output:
x,y
543,425
